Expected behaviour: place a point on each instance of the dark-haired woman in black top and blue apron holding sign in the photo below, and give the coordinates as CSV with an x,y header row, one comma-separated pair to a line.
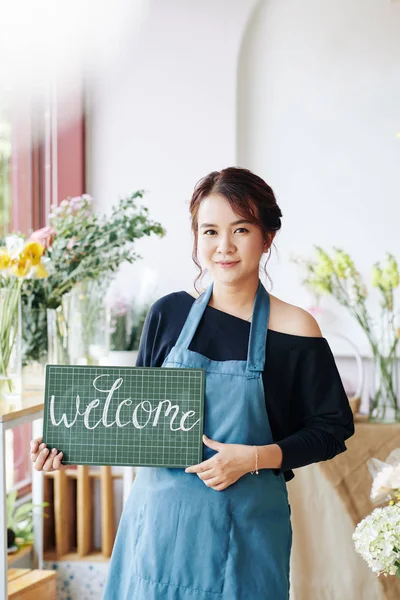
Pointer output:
x,y
274,402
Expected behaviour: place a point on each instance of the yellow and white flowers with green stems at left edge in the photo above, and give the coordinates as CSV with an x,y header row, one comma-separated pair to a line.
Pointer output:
x,y
20,261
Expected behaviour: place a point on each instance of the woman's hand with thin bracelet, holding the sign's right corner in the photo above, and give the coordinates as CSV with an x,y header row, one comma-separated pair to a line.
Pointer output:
x,y
231,462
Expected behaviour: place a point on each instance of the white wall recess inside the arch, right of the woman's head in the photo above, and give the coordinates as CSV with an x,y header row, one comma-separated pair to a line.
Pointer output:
x,y
318,112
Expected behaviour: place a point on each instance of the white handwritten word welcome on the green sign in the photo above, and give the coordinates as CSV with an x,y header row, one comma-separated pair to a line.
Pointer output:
x,y
144,414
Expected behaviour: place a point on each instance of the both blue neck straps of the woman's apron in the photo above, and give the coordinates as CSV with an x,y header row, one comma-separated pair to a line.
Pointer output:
x,y
258,329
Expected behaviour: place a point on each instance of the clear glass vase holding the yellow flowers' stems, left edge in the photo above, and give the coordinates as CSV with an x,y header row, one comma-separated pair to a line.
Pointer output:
x,y
10,344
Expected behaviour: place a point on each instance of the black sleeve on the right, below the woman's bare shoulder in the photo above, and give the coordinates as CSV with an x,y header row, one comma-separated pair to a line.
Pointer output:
x,y
320,409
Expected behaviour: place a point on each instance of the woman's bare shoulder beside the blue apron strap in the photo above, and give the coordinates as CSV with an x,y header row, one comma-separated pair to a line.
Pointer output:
x,y
288,318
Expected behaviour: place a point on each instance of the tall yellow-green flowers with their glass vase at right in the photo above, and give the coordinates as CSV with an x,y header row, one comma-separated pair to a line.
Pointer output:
x,y
338,276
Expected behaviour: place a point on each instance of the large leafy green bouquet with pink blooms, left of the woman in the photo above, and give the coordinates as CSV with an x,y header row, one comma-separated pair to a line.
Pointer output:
x,y
82,246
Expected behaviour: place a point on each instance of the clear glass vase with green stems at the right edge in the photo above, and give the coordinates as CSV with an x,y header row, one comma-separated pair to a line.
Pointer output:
x,y
385,397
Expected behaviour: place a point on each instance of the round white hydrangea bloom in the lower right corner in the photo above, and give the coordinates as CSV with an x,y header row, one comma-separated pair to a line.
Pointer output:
x,y
377,539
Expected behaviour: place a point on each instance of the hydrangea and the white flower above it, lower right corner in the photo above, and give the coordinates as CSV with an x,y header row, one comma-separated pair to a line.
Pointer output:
x,y
377,537
